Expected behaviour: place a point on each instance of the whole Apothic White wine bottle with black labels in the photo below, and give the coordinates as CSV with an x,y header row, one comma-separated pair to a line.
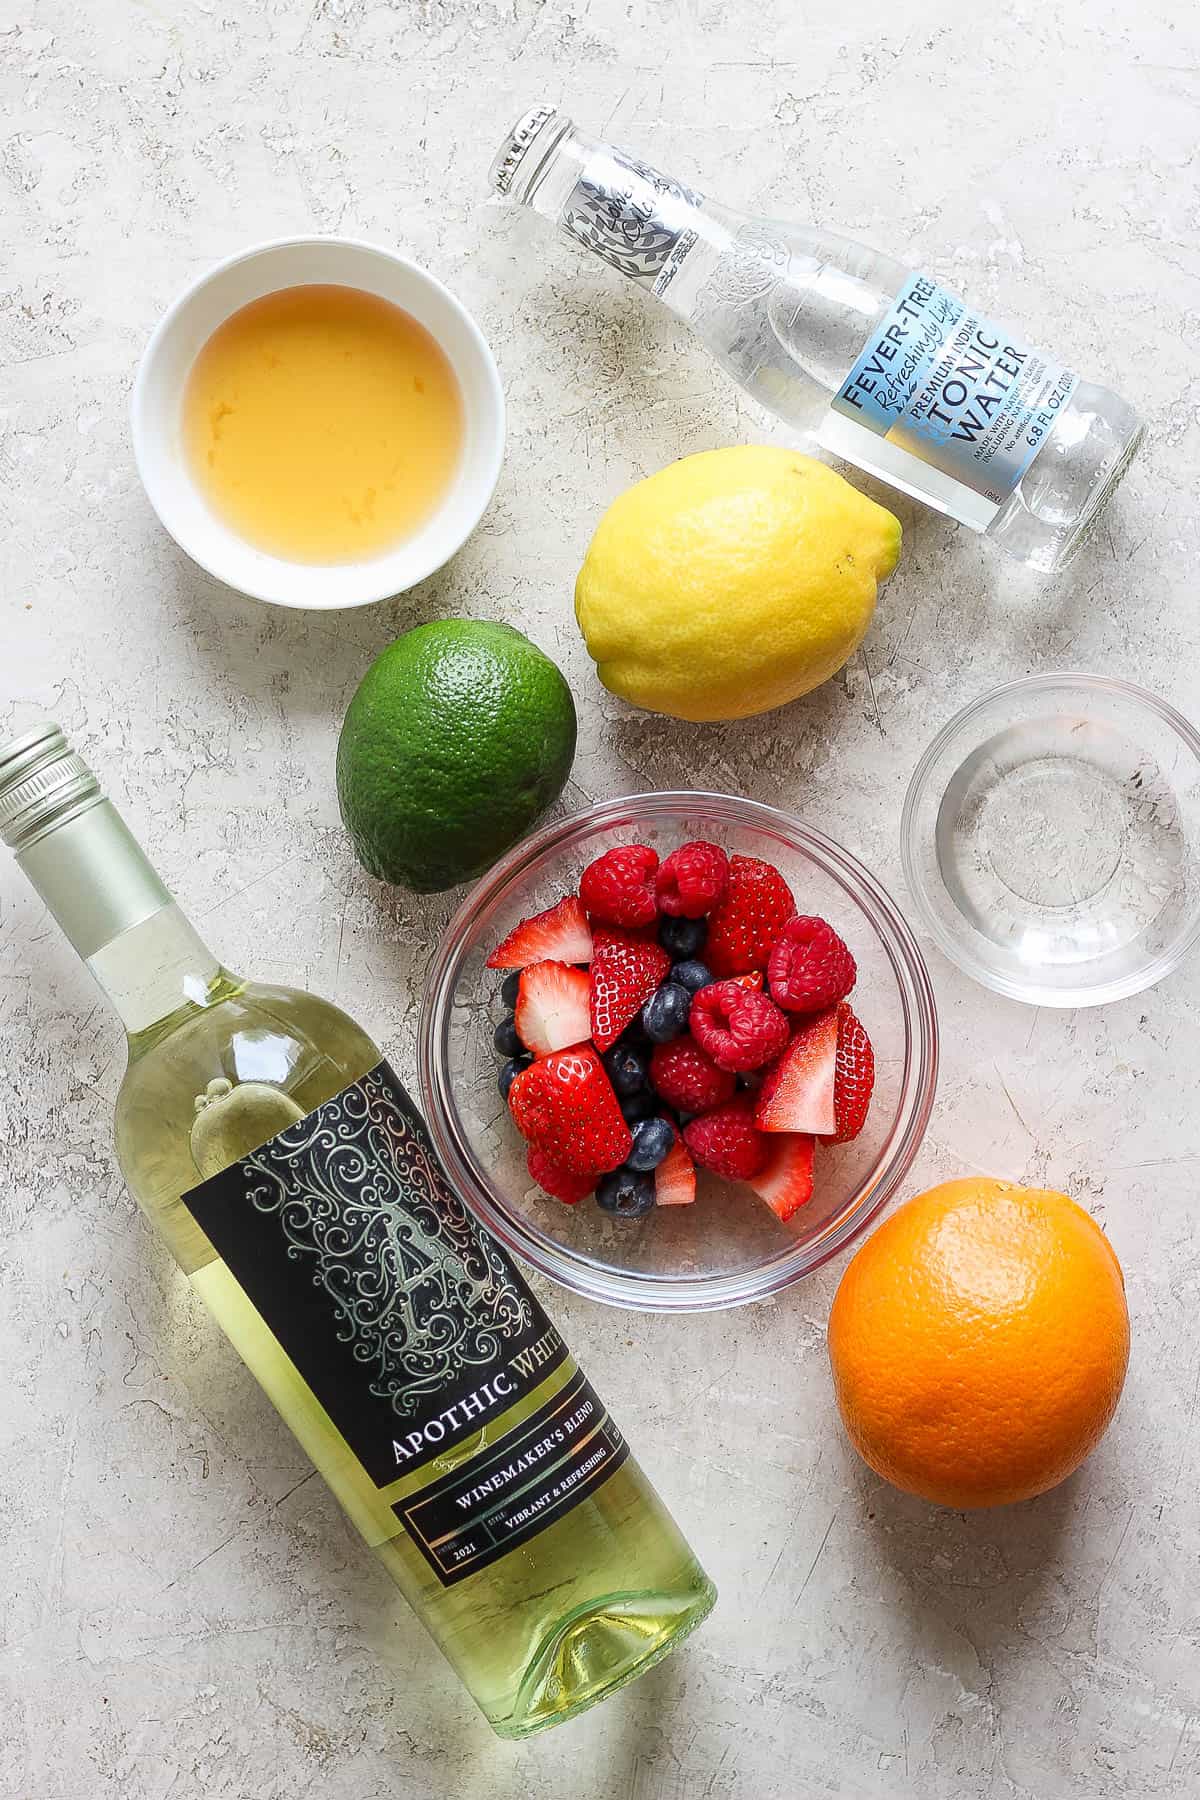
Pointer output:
x,y
292,1178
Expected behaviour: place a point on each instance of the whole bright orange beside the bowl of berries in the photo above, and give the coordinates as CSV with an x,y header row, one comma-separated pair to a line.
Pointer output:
x,y
980,1344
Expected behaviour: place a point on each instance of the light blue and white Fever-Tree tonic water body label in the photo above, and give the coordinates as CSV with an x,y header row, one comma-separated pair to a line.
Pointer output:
x,y
947,388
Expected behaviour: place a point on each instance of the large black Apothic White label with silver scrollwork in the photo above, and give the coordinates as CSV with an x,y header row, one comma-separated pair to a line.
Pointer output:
x,y
407,1320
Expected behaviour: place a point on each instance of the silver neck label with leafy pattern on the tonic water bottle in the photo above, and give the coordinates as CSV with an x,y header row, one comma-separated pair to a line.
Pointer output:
x,y
632,217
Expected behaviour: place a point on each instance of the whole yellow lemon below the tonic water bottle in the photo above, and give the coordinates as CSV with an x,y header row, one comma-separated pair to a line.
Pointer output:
x,y
733,582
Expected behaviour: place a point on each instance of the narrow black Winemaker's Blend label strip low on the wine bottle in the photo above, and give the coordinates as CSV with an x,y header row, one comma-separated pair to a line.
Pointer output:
x,y
524,1482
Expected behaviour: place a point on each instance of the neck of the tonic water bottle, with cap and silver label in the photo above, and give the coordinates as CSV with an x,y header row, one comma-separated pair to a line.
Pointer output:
x,y
631,215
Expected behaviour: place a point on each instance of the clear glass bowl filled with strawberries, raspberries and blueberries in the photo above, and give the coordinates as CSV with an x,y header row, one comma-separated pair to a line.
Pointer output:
x,y
677,1050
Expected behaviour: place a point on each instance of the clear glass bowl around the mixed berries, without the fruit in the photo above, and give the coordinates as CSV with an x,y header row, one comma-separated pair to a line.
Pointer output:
x,y
728,1246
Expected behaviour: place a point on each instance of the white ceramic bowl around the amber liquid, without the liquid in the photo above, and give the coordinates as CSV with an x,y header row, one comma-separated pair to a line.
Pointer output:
x,y
159,444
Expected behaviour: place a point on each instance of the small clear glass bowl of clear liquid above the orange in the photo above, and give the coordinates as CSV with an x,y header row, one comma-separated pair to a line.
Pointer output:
x,y
1050,840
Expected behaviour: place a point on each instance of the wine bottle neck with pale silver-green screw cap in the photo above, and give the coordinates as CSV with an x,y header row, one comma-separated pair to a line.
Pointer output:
x,y
98,883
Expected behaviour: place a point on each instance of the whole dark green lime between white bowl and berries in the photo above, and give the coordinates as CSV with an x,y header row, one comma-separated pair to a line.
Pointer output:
x,y
460,737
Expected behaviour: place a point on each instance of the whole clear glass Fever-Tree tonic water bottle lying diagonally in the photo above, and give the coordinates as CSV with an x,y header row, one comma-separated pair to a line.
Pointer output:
x,y
882,364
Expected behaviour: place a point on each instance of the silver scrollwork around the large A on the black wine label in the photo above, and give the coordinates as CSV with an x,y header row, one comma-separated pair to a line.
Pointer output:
x,y
418,1291
